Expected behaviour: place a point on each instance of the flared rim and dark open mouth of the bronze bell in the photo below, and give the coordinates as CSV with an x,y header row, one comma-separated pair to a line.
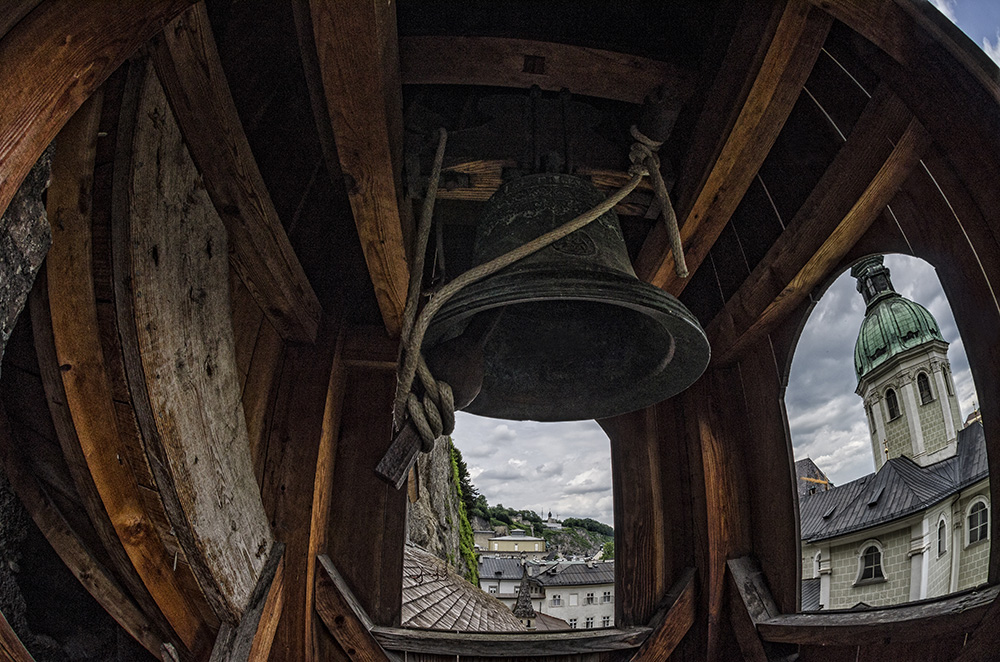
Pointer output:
x,y
575,345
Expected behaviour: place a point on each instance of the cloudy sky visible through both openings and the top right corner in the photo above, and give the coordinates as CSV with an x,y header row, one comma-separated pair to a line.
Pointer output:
x,y
565,468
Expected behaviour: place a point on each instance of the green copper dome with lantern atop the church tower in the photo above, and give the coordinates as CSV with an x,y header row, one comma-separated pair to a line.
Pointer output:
x,y
892,323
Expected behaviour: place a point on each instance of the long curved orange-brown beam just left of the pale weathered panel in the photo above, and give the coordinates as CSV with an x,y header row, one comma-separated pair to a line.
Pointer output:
x,y
80,396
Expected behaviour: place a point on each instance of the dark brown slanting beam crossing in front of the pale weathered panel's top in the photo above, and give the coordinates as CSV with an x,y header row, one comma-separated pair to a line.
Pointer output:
x,y
188,65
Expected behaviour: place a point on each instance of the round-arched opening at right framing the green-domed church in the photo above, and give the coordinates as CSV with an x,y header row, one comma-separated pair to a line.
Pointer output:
x,y
864,358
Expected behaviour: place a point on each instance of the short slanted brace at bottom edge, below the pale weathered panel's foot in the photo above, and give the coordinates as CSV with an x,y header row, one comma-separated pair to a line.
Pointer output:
x,y
250,641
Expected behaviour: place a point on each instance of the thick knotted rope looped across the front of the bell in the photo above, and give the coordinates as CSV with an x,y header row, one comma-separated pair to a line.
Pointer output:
x,y
434,414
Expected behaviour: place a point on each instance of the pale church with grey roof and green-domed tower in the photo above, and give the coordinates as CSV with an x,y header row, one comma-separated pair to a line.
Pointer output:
x,y
919,526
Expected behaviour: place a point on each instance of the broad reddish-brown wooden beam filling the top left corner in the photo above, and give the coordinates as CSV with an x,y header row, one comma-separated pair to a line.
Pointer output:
x,y
53,59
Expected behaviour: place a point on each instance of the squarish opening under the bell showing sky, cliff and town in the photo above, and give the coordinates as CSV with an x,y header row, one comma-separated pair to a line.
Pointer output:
x,y
525,519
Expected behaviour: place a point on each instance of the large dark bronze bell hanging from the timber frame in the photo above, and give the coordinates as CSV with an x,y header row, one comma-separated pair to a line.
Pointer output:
x,y
579,336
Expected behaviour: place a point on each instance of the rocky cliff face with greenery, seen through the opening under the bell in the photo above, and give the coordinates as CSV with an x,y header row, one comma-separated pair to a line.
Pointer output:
x,y
434,520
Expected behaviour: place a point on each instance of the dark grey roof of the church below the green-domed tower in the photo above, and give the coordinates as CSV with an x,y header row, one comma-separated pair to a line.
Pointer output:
x,y
900,488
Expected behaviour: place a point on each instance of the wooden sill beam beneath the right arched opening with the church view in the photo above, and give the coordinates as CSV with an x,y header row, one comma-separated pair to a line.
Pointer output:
x,y
915,621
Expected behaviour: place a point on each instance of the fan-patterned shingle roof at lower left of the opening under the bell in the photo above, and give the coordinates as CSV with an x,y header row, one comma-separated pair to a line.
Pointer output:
x,y
436,597
